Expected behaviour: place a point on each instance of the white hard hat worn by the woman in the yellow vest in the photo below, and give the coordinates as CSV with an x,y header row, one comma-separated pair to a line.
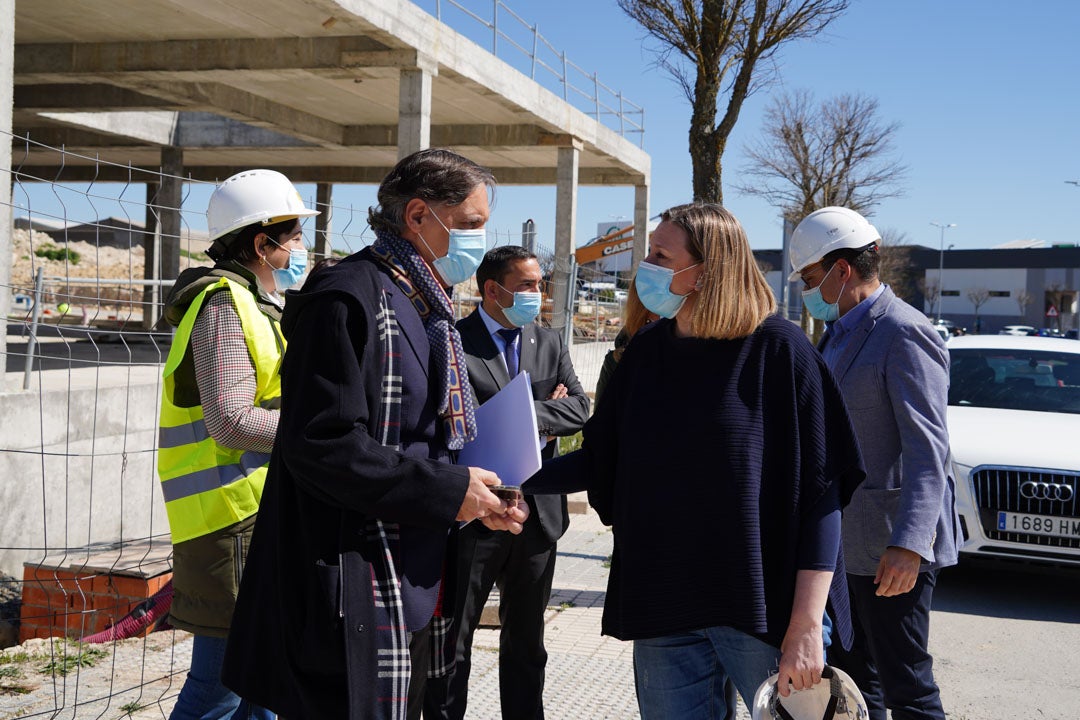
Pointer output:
x,y
254,196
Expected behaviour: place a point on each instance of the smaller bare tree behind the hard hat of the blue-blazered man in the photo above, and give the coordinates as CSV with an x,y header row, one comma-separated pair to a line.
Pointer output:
x,y
833,154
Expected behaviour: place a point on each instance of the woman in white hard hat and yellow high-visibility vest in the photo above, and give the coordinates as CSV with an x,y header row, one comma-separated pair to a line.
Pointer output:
x,y
220,411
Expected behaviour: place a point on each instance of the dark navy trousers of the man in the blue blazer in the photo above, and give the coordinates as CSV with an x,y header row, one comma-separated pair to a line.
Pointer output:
x,y
889,660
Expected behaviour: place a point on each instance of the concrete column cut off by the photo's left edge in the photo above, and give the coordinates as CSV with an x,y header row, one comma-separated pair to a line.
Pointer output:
x,y
7,241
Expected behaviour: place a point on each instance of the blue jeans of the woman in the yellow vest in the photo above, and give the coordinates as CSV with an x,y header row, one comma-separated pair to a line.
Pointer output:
x,y
204,697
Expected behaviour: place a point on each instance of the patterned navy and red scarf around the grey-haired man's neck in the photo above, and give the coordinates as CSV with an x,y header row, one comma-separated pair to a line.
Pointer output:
x,y
411,274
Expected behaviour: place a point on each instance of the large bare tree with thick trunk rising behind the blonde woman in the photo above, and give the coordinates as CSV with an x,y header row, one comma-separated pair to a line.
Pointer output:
x,y
719,51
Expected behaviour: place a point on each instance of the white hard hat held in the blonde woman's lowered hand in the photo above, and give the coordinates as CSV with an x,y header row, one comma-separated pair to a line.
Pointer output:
x,y
835,697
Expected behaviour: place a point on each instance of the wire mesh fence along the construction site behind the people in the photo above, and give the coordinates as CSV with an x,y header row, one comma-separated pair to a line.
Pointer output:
x,y
85,551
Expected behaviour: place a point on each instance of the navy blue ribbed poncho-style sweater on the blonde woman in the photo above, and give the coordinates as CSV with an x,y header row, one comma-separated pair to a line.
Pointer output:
x,y
714,461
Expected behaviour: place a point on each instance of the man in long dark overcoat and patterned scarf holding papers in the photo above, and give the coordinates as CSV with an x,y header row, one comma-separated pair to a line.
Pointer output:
x,y
339,610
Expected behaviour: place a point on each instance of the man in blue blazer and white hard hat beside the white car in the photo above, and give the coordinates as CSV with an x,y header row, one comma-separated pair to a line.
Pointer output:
x,y
902,526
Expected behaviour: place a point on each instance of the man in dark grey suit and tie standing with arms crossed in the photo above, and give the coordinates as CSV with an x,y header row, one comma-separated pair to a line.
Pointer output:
x,y
502,339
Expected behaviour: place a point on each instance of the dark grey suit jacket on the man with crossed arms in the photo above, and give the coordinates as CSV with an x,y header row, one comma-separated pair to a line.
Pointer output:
x,y
547,360
